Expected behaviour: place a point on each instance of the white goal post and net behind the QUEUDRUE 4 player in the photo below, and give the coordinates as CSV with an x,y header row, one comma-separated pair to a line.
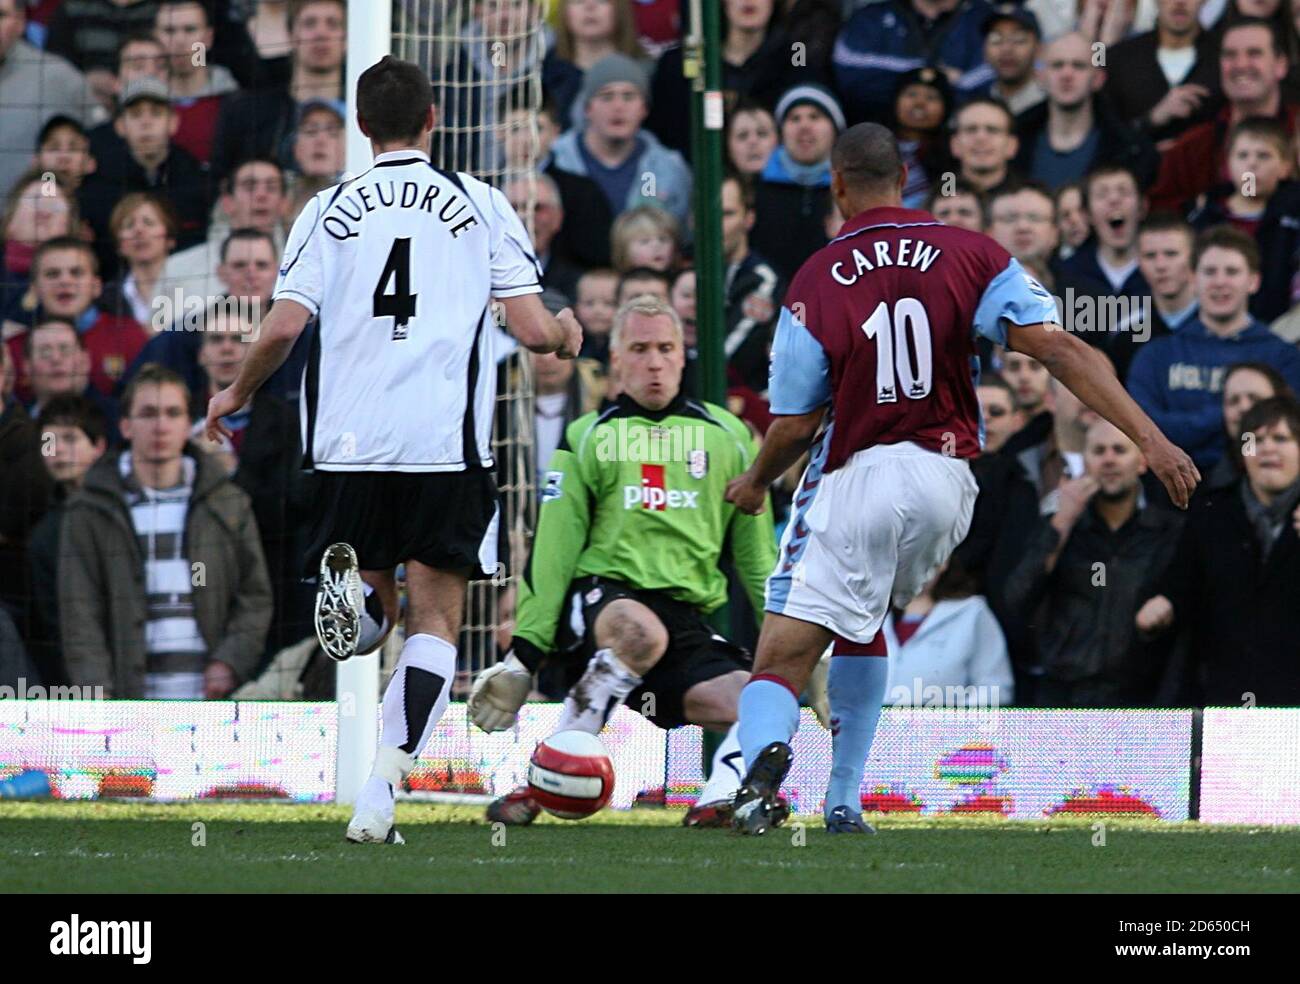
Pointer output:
x,y
488,86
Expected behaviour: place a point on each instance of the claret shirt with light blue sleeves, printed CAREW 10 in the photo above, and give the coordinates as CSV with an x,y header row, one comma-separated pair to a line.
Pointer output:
x,y
882,324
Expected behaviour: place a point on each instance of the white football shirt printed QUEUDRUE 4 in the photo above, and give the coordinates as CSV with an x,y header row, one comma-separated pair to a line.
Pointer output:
x,y
400,267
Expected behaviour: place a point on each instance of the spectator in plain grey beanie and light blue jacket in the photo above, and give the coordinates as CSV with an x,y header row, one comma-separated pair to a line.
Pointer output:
x,y
616,151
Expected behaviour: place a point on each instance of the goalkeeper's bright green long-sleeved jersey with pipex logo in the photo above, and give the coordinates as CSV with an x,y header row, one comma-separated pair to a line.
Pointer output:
x,y
638,497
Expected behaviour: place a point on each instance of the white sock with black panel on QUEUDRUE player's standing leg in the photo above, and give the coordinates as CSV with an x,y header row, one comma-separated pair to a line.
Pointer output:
x,y
415,700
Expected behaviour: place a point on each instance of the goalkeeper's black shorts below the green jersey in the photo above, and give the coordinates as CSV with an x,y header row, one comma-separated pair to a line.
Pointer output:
x,y
695,654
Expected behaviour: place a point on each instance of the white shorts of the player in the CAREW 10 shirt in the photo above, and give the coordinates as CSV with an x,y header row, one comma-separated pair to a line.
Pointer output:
x,y
870,534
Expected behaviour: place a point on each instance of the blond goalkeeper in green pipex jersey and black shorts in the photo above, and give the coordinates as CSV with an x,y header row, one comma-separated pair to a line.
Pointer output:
x,y
625,566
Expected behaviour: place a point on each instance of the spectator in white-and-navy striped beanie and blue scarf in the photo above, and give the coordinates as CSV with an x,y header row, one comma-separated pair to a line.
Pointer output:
x,y
794,190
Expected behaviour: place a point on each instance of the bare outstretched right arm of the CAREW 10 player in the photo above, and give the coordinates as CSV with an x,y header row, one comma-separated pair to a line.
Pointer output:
x,y
1090,378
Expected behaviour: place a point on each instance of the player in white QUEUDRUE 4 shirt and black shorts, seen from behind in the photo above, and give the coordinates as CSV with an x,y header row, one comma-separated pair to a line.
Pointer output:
x,y
398,268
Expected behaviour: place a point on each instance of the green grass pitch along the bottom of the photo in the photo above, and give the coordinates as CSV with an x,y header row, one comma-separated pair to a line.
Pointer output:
x,y
267,848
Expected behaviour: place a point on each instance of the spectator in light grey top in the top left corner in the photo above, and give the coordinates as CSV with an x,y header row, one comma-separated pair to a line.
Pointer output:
x,y
27,71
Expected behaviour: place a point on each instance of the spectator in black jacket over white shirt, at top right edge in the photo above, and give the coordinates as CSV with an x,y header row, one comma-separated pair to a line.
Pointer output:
x,y
1165,80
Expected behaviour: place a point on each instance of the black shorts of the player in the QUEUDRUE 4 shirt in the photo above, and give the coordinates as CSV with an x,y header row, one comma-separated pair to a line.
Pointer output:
x,y
443,519
